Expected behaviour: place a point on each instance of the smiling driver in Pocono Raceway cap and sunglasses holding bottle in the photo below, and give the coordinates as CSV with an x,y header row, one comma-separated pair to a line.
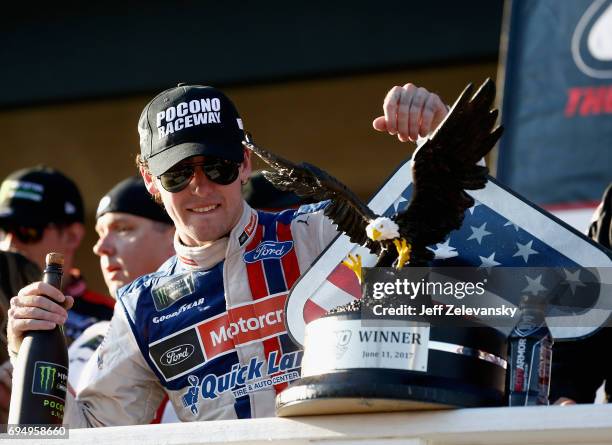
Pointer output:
x,y
208,327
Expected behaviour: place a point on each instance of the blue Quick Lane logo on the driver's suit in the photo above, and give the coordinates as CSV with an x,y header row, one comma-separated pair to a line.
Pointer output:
x,y
242,380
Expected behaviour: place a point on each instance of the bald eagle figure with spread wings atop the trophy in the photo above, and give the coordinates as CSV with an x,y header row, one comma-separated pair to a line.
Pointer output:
x,y
443,168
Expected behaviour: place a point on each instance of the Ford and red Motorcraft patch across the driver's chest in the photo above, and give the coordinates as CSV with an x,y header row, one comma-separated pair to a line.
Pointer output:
x,y
244,324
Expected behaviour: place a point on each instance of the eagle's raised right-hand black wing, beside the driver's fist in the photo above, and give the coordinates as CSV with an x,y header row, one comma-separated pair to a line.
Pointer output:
x,y
446,165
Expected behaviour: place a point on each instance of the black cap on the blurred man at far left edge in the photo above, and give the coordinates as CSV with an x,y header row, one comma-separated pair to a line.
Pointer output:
x,y
39,196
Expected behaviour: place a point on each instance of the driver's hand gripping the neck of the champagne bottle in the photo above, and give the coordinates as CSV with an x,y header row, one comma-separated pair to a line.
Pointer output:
x,y
31,310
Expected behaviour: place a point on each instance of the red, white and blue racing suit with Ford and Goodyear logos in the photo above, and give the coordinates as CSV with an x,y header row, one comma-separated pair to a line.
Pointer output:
x,y
207,328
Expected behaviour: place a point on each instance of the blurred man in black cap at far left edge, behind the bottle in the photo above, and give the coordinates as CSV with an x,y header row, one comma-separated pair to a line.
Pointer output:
x,y
41,211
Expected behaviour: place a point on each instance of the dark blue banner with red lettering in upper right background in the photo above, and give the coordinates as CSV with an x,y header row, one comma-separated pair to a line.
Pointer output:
x,y
557,104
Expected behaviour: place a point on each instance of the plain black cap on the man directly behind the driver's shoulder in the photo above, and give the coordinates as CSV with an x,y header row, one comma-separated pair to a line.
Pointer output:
x,y
131,196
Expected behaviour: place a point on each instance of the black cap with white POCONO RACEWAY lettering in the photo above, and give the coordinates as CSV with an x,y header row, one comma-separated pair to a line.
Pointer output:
x,y
189,120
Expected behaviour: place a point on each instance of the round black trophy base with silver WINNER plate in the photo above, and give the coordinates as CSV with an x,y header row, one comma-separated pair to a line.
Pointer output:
x,y
352,365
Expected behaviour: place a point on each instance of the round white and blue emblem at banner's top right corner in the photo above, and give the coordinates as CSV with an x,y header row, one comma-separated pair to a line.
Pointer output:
x,y
592,40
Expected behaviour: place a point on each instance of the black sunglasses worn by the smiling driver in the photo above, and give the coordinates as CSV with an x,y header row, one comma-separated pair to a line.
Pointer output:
x,y
219,171
